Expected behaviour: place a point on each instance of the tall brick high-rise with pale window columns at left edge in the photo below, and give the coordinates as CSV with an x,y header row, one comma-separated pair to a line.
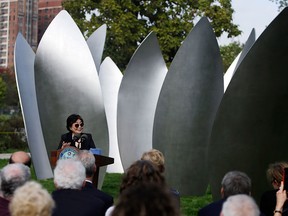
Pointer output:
x,y
16,16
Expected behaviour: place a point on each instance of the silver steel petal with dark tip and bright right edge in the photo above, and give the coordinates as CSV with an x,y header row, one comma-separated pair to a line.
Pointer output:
x,y
137,99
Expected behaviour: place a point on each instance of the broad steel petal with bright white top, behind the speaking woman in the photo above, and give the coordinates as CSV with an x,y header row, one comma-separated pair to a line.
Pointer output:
x,y
67,82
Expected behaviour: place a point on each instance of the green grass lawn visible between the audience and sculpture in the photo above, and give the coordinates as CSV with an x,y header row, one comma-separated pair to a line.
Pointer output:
x,y
189,204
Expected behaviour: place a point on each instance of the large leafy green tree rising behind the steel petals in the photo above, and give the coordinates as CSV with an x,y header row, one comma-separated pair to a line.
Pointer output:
x,y
129,22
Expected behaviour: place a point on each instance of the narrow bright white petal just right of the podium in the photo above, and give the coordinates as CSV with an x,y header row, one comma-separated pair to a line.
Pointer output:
x,y
110,78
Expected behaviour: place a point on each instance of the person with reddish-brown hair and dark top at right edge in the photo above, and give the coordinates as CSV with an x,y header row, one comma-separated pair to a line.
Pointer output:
x,y
274,175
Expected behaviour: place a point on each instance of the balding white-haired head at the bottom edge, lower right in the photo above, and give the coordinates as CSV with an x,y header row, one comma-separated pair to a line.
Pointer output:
x,y
240,205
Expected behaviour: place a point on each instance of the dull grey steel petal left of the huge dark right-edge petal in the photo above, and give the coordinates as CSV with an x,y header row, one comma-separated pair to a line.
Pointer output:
x,y
186,109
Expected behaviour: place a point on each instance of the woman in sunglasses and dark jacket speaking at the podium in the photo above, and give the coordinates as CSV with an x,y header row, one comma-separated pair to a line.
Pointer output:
x,y
75,137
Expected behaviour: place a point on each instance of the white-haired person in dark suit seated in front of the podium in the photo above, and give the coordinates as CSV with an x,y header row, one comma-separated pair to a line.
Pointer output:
x,y
69,177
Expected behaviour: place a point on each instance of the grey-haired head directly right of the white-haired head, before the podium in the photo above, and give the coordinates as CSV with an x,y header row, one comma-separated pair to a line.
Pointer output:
x,y
88,161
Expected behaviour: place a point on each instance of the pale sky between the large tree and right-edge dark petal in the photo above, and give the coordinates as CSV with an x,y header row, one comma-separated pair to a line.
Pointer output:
x,y
251,14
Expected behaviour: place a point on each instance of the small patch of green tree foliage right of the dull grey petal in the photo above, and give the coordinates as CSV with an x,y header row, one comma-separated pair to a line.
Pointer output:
x,y
229,53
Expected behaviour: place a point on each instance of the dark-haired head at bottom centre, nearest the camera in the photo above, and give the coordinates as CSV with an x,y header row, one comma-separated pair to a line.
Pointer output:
x,y
145,199
